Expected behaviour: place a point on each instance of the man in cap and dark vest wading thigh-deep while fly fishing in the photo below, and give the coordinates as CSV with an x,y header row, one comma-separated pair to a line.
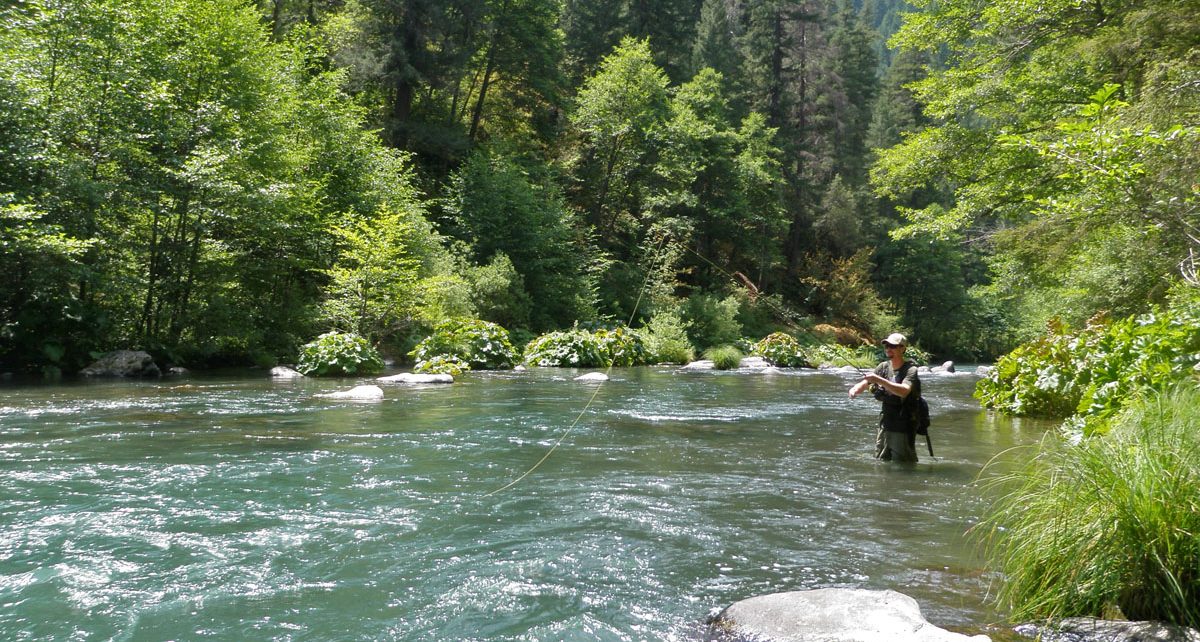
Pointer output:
x,y
895,383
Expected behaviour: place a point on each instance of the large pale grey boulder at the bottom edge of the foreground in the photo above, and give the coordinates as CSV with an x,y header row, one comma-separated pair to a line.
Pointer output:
x,y
830,615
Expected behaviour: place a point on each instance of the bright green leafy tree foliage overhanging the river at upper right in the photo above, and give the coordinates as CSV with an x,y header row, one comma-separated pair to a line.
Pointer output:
x,y
1051,130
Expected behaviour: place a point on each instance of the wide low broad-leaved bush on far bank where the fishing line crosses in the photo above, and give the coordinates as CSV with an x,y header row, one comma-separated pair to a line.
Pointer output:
x,y
583,349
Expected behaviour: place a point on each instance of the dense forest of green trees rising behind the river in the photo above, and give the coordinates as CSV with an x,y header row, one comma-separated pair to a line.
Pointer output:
x,y
220,182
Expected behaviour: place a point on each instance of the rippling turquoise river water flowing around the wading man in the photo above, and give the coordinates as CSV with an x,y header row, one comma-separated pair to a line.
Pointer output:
x,y
249,509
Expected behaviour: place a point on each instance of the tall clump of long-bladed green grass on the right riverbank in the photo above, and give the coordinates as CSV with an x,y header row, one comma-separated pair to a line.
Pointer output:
x,y
1113,521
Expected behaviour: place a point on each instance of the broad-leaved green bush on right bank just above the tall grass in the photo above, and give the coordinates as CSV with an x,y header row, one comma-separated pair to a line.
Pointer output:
x,y
1089,376
